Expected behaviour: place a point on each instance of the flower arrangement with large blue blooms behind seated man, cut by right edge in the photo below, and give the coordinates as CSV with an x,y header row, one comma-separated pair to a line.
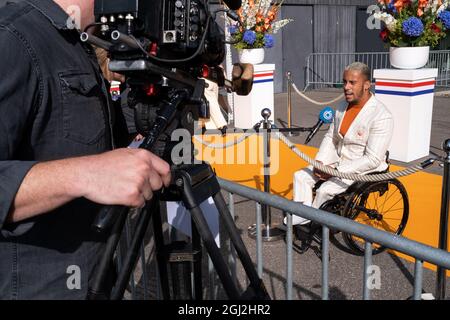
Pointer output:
x,y
413,23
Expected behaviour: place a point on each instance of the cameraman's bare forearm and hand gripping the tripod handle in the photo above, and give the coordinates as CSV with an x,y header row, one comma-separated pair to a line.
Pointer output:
x,y
121,177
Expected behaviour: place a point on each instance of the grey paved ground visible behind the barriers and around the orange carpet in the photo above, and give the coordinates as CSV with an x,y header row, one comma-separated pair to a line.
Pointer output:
x,y
346,269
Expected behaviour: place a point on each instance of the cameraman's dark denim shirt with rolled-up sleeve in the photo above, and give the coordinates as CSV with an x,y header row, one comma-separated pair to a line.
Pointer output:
x,y
53,105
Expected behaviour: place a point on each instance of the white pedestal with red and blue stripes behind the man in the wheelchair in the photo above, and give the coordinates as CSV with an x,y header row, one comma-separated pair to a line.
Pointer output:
x,y
408,94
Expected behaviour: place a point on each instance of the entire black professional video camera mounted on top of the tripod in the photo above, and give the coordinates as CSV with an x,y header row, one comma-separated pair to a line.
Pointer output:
x,y
165,47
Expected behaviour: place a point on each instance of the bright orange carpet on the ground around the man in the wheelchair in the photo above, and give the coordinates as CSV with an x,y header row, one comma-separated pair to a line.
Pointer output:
x,y
243,164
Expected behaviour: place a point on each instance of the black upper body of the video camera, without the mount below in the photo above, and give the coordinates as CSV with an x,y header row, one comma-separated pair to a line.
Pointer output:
x,y
168,29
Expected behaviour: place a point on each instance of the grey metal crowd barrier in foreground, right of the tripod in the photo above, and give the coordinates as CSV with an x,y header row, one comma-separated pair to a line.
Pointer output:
x,y
419,251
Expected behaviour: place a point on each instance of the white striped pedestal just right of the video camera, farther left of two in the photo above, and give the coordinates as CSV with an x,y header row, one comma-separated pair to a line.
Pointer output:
x,y
247,109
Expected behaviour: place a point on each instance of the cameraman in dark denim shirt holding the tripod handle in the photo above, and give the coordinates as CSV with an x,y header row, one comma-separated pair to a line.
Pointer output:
x,y
56,129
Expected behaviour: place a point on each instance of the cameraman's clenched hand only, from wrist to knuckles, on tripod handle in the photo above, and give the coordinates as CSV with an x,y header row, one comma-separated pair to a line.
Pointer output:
x,y
123,177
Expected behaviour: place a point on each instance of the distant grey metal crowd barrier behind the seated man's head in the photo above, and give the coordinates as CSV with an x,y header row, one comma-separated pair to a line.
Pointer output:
x,y
324,70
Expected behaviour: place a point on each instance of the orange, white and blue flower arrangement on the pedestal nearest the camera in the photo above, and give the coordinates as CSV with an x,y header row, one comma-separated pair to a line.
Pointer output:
x,y
258,23
